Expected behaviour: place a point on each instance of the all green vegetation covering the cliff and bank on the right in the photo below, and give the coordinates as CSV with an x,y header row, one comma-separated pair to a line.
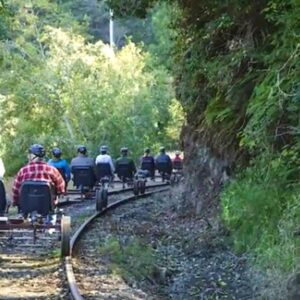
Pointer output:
x,y
237,75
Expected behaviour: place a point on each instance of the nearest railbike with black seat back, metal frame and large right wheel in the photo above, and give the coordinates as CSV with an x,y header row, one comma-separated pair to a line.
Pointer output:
x,y
38,215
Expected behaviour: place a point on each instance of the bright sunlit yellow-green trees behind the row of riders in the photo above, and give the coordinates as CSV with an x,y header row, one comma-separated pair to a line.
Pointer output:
x,y
71,92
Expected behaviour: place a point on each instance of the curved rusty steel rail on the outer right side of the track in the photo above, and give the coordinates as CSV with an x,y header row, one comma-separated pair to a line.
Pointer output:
x,y
73,287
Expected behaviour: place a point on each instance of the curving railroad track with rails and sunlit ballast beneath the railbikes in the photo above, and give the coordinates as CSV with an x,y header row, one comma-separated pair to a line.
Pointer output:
x,y
22,249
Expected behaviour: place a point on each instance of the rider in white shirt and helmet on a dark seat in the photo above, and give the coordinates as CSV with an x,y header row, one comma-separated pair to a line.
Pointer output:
x,y
104,164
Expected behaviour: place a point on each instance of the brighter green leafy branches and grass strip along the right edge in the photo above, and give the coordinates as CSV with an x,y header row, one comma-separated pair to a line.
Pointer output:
x,y
262,205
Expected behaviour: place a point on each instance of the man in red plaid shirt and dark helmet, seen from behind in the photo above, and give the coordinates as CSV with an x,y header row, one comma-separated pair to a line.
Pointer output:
x,y
37,170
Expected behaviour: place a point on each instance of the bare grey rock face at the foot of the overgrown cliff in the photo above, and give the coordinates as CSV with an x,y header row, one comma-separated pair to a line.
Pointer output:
x,y
205,174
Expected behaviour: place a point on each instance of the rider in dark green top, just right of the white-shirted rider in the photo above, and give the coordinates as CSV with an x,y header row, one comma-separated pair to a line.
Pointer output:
x,y
125,167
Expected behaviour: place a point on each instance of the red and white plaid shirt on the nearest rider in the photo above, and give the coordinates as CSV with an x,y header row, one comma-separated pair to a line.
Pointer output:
x,y
38,171
